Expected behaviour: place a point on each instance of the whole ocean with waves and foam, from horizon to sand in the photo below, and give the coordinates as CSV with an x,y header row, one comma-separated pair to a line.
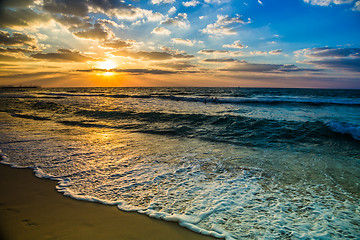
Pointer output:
x,y
233,163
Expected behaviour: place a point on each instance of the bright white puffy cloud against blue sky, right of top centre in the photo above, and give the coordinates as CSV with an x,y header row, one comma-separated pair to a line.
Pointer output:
x,y
223,26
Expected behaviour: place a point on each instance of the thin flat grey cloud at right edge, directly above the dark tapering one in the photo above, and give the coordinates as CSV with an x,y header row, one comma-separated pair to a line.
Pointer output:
x,y
327,52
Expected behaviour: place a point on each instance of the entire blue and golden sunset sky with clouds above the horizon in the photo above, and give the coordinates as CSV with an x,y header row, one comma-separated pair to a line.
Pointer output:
x,y
194,43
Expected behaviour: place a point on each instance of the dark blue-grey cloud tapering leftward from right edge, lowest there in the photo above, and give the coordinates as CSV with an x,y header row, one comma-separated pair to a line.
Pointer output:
x,y
347,64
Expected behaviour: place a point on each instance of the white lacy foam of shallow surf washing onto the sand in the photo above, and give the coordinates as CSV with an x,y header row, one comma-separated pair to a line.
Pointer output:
x,y
224,204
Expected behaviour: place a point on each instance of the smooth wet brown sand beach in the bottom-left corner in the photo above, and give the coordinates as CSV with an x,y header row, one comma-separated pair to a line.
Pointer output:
x,y
30,208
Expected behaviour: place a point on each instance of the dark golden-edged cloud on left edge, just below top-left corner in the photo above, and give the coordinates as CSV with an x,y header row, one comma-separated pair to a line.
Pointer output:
x,y
23,17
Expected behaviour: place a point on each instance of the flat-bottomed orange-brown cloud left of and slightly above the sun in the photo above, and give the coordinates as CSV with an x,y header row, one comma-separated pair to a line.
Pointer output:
x,y
63,55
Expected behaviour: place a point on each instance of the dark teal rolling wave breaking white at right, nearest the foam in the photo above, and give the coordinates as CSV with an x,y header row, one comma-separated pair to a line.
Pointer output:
x,y
238,130
